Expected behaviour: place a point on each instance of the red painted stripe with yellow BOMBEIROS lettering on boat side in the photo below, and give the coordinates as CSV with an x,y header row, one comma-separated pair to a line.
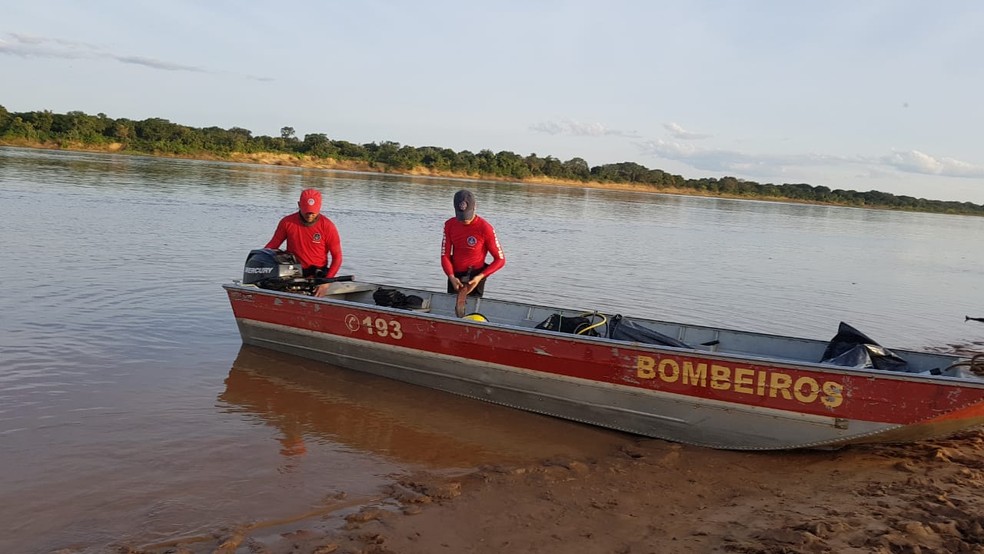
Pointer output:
x,y
884,398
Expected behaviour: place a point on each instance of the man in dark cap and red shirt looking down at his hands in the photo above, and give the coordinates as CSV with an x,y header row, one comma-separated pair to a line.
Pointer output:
x,y
467,240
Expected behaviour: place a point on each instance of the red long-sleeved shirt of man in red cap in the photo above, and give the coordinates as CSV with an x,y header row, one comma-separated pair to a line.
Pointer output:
x,y
312,244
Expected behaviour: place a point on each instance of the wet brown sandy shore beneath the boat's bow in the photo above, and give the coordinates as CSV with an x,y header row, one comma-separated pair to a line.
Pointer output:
x,y
654,496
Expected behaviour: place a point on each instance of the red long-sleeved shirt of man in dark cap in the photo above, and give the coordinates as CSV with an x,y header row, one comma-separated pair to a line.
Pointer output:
x,y
464,247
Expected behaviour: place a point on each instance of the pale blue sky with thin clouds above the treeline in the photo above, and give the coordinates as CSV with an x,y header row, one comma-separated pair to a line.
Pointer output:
x,y
850,94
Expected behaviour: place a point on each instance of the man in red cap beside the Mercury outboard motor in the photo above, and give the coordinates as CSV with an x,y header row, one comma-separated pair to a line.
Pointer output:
x,y
311,237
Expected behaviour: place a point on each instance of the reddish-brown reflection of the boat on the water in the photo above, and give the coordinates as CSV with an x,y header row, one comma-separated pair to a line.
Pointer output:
x,y
307,402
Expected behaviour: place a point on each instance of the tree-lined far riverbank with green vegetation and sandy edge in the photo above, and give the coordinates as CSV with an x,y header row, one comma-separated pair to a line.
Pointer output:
x,y
161,137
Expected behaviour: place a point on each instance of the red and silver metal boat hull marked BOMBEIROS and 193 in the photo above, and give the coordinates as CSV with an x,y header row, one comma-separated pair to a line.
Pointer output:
x,y
726,402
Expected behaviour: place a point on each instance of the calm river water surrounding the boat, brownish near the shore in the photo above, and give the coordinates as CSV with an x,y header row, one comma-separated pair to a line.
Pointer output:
x,y
131,414
